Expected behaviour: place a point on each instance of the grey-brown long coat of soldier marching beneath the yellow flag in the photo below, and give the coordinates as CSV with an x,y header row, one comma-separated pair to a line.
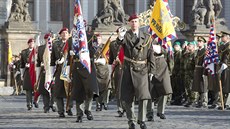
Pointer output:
x,y
160,84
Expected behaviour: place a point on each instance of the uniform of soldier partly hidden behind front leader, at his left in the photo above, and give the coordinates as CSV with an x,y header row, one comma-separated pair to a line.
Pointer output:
x,y
114,49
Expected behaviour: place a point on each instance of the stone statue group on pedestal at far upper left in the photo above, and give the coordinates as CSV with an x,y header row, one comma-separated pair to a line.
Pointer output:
x,y
19,11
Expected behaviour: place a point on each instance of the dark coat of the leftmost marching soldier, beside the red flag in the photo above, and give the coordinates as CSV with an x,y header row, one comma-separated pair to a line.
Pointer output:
x,y
26,75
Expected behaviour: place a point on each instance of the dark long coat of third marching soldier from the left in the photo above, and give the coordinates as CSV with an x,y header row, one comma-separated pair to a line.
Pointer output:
x,y
57,53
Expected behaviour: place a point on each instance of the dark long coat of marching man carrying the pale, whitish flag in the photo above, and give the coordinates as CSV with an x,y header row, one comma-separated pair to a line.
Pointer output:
x,y
41,88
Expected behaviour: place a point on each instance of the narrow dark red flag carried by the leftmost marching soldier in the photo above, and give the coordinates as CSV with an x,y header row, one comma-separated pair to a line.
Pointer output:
x,y
32,67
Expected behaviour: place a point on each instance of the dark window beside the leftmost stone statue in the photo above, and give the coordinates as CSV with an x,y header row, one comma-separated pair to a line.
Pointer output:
x,y
56,7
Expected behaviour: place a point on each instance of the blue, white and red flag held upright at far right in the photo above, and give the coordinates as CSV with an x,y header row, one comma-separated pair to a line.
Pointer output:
x,y
211,58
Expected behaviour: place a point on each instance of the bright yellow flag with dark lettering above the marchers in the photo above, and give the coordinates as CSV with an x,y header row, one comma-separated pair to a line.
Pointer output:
x,y
161,21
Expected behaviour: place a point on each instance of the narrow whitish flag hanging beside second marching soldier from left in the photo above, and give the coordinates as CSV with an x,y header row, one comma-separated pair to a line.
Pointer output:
x,y
46,61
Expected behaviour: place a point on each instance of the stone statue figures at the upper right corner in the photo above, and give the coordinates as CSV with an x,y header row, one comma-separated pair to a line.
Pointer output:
x,y
204,10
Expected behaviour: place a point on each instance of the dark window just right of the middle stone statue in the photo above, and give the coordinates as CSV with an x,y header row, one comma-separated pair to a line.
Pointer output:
x,y
129,7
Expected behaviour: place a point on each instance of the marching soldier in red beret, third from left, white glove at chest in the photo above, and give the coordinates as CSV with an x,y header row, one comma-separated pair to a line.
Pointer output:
x,y
57,60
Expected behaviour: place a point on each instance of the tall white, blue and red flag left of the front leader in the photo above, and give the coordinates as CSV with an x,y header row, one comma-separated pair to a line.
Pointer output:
x,y
79,38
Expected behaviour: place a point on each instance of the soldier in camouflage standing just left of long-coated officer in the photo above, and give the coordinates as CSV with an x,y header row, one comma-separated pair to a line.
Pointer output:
x,y
189,66
